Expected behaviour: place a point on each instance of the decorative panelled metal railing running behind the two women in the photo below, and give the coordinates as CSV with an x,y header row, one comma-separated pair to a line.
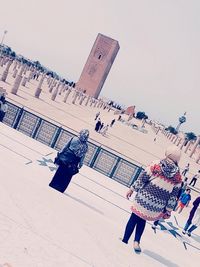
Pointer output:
x,y
100,158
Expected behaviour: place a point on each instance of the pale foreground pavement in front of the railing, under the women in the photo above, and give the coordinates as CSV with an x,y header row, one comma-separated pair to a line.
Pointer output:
x,y
39,227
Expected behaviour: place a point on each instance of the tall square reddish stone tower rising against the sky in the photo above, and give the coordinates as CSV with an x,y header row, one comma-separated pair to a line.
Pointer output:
x,y
98,65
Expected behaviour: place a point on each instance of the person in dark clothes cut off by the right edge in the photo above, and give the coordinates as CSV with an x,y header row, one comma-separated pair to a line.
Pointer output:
x,y
194,218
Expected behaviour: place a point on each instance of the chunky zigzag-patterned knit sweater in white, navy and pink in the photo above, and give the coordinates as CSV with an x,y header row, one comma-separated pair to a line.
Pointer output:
x,y
156,190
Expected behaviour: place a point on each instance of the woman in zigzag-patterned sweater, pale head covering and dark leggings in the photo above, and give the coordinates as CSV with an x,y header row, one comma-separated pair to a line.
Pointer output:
x,y
156,194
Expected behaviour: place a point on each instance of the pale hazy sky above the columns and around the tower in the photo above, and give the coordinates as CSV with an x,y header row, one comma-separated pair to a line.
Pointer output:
x,y
157,67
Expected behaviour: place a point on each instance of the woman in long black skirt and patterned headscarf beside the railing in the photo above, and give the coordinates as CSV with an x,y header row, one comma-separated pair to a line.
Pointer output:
x,y
70,160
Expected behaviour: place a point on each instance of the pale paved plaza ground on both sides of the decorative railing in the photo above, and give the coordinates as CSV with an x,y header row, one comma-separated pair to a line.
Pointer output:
x,y
82,227
